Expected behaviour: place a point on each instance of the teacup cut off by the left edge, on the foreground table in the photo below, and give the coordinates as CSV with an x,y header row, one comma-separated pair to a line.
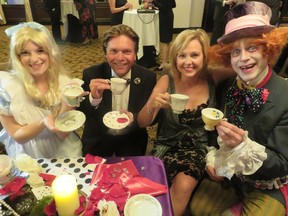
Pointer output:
x,y
6,169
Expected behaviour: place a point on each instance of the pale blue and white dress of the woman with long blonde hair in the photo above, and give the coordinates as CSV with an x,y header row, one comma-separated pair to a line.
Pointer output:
x,y
15,102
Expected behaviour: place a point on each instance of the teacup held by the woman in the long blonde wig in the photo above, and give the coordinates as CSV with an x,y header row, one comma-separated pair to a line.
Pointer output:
x,y
73,95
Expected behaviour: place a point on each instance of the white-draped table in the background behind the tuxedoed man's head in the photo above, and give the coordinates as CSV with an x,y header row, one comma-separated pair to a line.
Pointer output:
x,y
146,25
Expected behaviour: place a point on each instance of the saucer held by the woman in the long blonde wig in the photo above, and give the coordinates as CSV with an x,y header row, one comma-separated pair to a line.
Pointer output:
x,y
70,121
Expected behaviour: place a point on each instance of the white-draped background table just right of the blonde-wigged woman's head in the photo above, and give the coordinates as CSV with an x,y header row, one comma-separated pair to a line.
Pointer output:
x,y
67,7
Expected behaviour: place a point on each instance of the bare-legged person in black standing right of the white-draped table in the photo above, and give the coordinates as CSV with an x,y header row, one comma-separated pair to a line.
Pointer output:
x,y
166,19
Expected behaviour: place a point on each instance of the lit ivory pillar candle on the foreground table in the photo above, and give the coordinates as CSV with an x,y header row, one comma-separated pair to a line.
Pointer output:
x,y
65,192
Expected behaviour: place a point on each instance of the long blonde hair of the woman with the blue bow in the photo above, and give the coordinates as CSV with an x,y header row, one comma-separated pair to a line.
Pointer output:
x,y
42,38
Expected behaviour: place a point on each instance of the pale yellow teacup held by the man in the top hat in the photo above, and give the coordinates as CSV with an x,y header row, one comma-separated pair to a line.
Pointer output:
x,y
211,117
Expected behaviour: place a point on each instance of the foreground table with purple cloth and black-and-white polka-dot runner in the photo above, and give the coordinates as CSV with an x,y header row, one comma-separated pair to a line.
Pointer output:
x,y
153,170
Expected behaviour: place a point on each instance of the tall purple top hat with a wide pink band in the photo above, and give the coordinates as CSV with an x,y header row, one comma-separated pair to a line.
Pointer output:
x,y
248,19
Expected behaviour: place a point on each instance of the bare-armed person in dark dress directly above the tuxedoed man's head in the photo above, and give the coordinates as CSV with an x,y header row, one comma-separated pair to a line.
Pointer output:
x,y
117,8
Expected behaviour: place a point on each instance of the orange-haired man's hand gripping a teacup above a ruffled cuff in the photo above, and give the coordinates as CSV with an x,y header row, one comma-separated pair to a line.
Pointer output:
x,y
230,134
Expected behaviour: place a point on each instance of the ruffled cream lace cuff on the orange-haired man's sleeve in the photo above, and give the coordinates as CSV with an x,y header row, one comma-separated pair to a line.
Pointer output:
x,y
245,158
